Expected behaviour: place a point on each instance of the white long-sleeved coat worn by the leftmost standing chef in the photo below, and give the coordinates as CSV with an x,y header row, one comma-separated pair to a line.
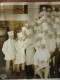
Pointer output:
x,y
9,49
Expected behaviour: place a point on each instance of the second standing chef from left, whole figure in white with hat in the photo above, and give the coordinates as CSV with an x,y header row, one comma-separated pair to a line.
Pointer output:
x,y
20,51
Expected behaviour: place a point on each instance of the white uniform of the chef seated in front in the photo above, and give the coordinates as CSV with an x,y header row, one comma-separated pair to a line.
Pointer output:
x,y
41,55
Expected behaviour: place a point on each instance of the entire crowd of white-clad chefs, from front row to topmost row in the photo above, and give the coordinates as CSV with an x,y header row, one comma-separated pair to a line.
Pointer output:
x,y
37,44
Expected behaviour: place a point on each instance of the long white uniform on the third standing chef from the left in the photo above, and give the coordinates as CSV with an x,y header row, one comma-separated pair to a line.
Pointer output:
x,y
29,51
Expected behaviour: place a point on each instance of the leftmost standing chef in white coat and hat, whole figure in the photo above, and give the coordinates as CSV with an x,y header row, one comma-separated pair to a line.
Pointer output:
x,y
9,50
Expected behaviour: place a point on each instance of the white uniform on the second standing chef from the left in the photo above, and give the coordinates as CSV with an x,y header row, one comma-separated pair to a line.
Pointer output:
x,y
20,52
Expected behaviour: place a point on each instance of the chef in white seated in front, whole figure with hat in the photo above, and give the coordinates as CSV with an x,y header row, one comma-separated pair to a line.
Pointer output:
x,y
41,60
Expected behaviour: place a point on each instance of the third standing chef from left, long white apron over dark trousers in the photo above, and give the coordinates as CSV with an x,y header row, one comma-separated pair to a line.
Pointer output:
x,y
30,51
